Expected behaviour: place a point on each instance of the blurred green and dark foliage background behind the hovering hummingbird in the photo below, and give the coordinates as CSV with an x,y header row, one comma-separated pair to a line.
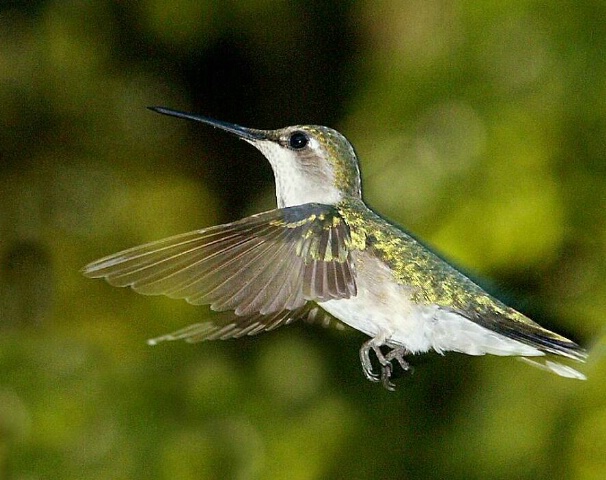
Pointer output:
x,y
481,126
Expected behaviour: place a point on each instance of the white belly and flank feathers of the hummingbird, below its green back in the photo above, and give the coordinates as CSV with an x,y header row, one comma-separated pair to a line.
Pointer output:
x,y
383,310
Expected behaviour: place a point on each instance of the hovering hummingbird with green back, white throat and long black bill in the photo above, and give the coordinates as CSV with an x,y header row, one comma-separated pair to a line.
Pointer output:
x,y
324,256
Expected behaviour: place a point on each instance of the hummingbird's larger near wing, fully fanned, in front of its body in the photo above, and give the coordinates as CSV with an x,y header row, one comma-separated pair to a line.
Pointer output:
x,y
263,264
